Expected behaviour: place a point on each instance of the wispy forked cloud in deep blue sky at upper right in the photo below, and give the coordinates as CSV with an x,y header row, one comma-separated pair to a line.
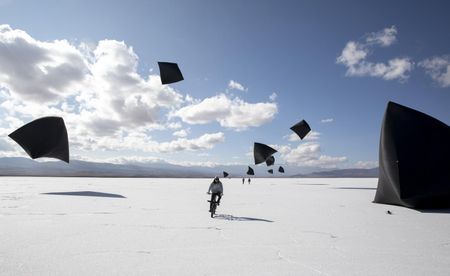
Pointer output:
x,y
354,57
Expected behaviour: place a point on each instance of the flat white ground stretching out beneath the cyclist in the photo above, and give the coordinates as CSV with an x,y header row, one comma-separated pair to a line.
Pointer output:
x,y
162,227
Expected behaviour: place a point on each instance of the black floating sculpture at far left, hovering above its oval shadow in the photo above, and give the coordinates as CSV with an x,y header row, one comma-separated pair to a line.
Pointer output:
x,y
44,137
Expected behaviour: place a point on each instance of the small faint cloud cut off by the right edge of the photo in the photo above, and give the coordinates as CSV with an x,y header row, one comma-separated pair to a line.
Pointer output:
x,y
438,68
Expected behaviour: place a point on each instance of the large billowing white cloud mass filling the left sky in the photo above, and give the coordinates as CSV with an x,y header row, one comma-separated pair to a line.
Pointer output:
x,y
96,88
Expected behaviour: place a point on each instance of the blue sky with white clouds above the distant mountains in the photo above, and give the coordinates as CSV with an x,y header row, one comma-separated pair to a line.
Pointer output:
x,y
335,64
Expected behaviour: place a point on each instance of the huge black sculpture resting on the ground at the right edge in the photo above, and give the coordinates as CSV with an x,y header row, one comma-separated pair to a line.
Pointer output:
x,y
414,159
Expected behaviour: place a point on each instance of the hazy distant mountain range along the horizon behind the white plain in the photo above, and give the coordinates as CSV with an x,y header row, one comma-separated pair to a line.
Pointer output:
x,y
18,166
